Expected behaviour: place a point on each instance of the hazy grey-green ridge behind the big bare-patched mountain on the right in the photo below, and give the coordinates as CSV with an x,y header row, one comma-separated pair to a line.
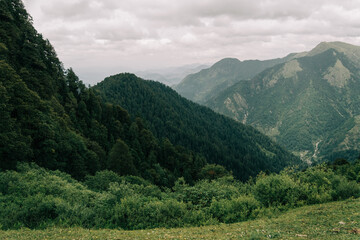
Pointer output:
x,y
200,87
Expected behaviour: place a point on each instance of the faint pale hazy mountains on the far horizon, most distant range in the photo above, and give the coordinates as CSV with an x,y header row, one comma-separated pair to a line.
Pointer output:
x,y
171,76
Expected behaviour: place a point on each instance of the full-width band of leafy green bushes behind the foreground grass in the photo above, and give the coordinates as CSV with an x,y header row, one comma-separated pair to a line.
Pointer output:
x,y
37,198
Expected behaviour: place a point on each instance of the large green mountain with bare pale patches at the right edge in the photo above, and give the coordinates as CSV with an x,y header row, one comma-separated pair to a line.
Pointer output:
x,y
309,104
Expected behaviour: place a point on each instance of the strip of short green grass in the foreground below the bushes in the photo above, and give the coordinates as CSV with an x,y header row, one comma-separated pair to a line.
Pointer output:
x,y
337,220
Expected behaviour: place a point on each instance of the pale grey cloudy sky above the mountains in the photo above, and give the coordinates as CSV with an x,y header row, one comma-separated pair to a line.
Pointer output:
x,y
98,38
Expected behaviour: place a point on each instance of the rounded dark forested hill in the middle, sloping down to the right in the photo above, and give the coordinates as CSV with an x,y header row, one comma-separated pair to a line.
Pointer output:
x,y
221,140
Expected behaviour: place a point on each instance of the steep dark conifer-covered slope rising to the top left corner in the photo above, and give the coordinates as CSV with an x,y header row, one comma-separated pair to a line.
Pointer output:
x,y
49,117
